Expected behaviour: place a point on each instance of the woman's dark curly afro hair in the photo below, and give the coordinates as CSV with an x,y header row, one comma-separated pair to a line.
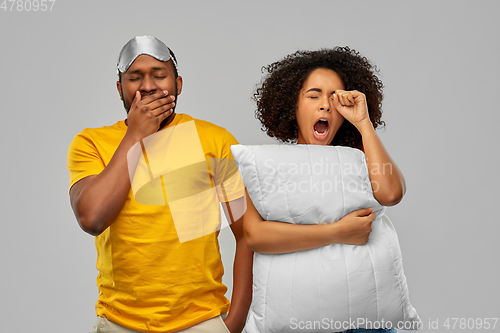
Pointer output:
x,y
278,93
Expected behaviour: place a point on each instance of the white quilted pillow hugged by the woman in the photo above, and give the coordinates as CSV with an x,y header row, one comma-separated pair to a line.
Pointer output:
x,y
332,288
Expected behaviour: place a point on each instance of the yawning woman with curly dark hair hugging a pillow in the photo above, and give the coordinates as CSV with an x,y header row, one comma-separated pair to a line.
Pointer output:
x,y
326,97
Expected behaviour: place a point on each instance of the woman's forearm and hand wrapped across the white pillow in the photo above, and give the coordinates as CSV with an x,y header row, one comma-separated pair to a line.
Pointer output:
x,y
271,237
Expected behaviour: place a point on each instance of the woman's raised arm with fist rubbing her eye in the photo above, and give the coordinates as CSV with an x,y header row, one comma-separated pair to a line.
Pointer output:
x,y
387,180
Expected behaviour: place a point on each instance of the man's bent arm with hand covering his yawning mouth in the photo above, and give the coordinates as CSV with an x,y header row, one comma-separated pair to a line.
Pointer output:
x,y
96,200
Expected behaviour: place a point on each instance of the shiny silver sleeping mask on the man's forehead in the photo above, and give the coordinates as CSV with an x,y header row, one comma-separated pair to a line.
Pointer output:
x,y
149,45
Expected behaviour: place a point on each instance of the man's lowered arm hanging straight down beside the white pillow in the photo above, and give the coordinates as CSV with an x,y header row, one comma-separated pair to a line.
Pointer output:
x,y
242,270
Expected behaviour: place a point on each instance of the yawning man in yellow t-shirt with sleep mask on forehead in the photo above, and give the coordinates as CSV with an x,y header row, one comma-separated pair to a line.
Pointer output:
x,y
150,278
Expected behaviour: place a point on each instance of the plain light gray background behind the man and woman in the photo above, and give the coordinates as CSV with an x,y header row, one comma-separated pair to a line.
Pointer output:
x,y
438,61
